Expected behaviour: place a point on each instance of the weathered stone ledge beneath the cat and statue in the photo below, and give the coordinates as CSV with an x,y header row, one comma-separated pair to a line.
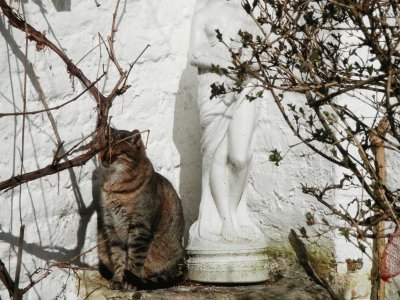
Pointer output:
x,y
292,285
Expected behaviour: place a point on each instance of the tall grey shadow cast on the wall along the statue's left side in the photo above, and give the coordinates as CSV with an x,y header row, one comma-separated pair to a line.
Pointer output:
x,y
186,136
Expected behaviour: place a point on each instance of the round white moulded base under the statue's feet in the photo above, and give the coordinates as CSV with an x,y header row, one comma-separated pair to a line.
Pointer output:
x,y
228,266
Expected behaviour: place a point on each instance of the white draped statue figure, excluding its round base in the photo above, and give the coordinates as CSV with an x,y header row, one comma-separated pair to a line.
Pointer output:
x,y
228,126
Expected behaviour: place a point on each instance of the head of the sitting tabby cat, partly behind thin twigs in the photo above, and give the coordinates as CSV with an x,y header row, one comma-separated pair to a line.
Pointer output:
x,y
125,147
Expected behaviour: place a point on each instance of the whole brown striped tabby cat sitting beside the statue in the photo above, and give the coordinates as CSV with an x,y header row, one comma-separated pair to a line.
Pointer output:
x,y
140,225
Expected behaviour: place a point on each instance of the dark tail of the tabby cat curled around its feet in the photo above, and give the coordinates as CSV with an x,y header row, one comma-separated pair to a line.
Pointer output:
x,y
156,281
